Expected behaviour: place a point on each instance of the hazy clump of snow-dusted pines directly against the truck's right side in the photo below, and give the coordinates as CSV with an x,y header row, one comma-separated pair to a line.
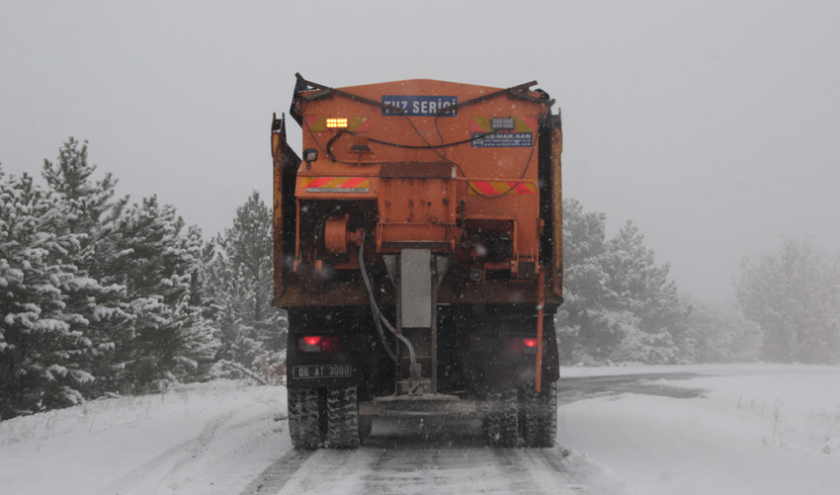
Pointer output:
x,y
618,304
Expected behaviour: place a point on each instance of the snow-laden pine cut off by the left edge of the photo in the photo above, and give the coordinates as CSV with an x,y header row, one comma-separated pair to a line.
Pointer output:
x,y
42,342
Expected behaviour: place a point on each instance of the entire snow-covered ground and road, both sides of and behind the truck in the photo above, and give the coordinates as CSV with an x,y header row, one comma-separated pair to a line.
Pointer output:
x,y
754,429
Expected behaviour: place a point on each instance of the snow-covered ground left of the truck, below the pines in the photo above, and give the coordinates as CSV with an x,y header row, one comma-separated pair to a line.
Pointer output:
x,y
203,439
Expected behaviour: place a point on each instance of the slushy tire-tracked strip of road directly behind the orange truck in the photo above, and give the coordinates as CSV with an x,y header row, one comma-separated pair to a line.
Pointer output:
x,y
411,459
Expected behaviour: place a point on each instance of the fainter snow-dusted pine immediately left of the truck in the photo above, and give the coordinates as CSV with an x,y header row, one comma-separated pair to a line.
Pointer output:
x,y
239,282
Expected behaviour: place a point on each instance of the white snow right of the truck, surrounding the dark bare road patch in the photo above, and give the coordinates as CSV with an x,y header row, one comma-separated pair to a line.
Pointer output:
x,y
763,429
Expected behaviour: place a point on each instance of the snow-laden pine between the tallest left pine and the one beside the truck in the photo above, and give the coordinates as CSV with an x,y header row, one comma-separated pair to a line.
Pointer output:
x,y
160,269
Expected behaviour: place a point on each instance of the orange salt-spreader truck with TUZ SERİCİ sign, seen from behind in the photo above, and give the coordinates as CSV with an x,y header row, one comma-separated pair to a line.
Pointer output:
x,y
418,252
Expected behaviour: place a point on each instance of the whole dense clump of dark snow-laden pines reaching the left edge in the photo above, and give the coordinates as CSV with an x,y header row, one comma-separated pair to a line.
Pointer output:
x,y
95,296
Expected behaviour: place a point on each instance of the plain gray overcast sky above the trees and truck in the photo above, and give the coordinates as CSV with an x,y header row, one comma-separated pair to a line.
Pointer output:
x,y
713,125
